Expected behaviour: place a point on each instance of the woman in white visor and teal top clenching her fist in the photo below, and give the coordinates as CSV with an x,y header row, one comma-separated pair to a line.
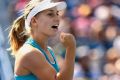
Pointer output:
x,y
34,59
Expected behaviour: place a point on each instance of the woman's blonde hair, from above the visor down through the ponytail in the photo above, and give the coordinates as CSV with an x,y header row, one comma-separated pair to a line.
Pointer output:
x,y
17,34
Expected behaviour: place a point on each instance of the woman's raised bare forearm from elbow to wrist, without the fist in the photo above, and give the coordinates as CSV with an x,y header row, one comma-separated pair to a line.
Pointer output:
x,y
67,70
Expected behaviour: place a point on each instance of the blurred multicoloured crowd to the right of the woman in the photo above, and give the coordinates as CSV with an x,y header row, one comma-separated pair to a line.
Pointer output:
x,y
95,24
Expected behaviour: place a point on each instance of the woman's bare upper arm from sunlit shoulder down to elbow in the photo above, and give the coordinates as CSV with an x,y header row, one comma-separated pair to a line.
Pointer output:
x,y
34,61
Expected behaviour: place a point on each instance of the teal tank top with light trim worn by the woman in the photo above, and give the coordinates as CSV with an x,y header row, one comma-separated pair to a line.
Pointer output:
x,y
31,76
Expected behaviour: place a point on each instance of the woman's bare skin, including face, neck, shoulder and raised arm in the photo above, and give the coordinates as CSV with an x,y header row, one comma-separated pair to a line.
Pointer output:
x,y
29,59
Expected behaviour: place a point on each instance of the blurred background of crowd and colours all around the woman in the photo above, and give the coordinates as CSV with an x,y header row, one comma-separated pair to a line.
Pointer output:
x,y
96,27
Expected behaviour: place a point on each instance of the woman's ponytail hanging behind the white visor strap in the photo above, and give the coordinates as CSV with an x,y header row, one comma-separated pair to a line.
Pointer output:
x,y
17,35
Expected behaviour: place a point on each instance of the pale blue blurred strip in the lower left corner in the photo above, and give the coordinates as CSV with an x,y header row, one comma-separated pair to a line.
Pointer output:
x,y
6,71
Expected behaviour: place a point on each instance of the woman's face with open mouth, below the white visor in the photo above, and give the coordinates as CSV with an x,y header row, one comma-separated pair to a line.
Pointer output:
x,y
46,22
